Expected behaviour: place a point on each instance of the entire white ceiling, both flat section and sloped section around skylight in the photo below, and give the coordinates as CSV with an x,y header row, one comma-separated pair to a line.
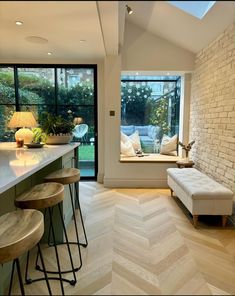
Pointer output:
x,y
101,24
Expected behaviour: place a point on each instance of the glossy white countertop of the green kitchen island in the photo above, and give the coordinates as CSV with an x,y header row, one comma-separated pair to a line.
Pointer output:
x,y
16,164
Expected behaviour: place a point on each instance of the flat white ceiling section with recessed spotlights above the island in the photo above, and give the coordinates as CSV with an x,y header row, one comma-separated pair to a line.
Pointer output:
x,y
62,23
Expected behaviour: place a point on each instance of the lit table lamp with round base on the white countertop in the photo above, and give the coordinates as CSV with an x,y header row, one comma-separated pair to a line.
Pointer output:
x,y
23,120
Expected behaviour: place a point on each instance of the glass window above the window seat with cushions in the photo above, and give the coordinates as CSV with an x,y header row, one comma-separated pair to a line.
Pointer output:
x,y
151,106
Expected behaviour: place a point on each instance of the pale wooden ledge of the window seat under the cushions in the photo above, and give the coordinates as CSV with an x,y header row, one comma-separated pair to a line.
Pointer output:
x,y
150,157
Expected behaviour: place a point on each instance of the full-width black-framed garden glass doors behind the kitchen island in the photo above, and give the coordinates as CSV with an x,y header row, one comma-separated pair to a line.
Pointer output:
x,y
53,89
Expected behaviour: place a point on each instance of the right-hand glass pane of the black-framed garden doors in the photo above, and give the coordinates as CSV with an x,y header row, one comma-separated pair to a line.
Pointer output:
x,y
76,93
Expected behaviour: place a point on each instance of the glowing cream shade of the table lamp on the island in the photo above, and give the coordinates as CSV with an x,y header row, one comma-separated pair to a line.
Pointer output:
x,y
22,119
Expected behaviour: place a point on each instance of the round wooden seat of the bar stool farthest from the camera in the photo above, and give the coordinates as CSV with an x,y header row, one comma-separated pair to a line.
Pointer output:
x,y
64,176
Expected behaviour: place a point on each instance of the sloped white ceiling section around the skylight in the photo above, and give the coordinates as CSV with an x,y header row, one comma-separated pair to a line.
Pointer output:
x,y
179,27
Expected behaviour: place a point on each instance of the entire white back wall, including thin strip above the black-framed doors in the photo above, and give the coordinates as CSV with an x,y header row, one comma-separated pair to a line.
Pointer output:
x,y
169,58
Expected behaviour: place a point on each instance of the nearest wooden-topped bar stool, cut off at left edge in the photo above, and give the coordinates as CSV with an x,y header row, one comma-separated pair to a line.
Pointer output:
x,y
20,231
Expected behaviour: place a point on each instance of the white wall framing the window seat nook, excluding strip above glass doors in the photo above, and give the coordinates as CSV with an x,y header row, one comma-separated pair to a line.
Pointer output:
x,y
139,53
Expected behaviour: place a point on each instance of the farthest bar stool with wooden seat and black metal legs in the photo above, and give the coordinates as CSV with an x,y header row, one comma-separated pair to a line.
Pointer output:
x,y
71,176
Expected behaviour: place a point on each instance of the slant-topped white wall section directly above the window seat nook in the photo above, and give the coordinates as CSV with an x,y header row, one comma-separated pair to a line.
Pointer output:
x,y
145,51
